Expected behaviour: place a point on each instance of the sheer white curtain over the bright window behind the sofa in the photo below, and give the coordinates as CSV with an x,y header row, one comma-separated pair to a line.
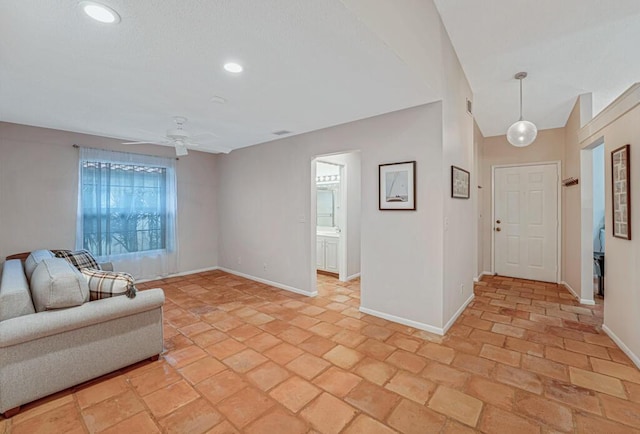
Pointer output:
x,y
127,211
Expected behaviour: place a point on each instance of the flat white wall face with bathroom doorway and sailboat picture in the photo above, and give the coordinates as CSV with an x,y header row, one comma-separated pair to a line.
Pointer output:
x,y
264,211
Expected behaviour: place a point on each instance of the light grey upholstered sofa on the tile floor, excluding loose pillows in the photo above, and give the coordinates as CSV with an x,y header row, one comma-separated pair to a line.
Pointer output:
x,y
44,352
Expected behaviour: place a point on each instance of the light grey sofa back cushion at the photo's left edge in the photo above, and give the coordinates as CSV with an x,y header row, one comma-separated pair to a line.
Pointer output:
x,y
15,298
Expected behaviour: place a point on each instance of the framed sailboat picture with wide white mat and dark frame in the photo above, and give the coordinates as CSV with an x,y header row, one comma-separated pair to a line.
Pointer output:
x,y
397,186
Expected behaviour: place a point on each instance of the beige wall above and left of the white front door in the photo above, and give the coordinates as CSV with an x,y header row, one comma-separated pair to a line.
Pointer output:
x,y
548,146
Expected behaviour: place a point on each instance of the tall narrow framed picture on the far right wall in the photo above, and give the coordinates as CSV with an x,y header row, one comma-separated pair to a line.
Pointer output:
x,y
621,192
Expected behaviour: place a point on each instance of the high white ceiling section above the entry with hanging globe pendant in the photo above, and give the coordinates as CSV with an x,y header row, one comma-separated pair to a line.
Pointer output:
x,y
568,47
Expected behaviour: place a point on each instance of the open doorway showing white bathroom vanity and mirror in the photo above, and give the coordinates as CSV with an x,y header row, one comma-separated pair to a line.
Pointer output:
x,y
335,204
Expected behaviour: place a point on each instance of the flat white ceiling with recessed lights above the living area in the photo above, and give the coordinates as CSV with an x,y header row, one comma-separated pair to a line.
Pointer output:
x,y
308,65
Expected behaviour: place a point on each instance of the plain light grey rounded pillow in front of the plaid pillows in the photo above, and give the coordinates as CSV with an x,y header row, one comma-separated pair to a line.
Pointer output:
x,y
56,284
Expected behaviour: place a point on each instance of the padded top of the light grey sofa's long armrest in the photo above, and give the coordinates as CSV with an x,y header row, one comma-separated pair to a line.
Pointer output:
x,y
42,324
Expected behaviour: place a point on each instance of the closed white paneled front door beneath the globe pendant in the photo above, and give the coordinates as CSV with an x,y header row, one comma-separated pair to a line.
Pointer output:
x,y
525,225
